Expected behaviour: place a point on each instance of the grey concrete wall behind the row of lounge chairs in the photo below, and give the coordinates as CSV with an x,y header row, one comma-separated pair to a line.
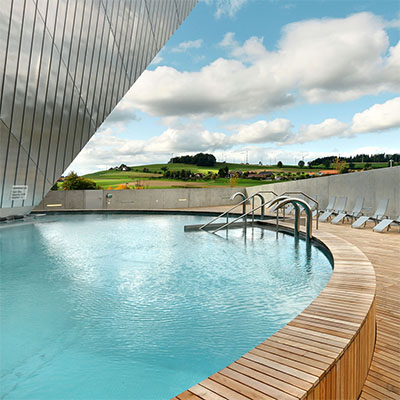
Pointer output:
x,y
372,185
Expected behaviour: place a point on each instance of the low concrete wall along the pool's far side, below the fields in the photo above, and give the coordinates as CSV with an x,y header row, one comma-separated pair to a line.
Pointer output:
x,y
137,199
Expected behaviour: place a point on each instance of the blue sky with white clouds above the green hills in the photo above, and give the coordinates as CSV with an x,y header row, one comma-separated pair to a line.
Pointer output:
x,y
262,80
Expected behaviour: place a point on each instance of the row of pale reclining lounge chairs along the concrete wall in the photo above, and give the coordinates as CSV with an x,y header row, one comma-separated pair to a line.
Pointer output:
x,y
336,211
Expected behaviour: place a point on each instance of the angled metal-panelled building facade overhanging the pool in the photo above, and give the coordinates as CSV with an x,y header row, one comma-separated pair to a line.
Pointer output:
x,y
64,65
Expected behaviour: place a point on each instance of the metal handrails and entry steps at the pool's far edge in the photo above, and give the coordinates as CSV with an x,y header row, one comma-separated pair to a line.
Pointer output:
x,y
281,203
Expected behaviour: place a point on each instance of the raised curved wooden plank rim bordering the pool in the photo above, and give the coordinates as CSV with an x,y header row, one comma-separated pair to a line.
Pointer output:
x,y
324,353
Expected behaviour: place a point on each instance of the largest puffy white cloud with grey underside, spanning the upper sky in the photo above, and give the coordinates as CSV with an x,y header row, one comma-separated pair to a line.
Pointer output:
x,y
316,60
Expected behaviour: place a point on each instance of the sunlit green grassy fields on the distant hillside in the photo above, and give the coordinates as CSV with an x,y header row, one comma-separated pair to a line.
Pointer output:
x,y
147,174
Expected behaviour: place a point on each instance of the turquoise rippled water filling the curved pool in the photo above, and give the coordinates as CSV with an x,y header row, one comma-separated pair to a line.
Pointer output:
x,y
131,307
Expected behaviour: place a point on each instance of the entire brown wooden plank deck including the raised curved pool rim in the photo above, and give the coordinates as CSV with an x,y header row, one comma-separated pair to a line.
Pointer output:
x,y
326,351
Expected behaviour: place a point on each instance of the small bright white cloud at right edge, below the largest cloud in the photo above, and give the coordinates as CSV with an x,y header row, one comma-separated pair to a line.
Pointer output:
x,y
378,118
